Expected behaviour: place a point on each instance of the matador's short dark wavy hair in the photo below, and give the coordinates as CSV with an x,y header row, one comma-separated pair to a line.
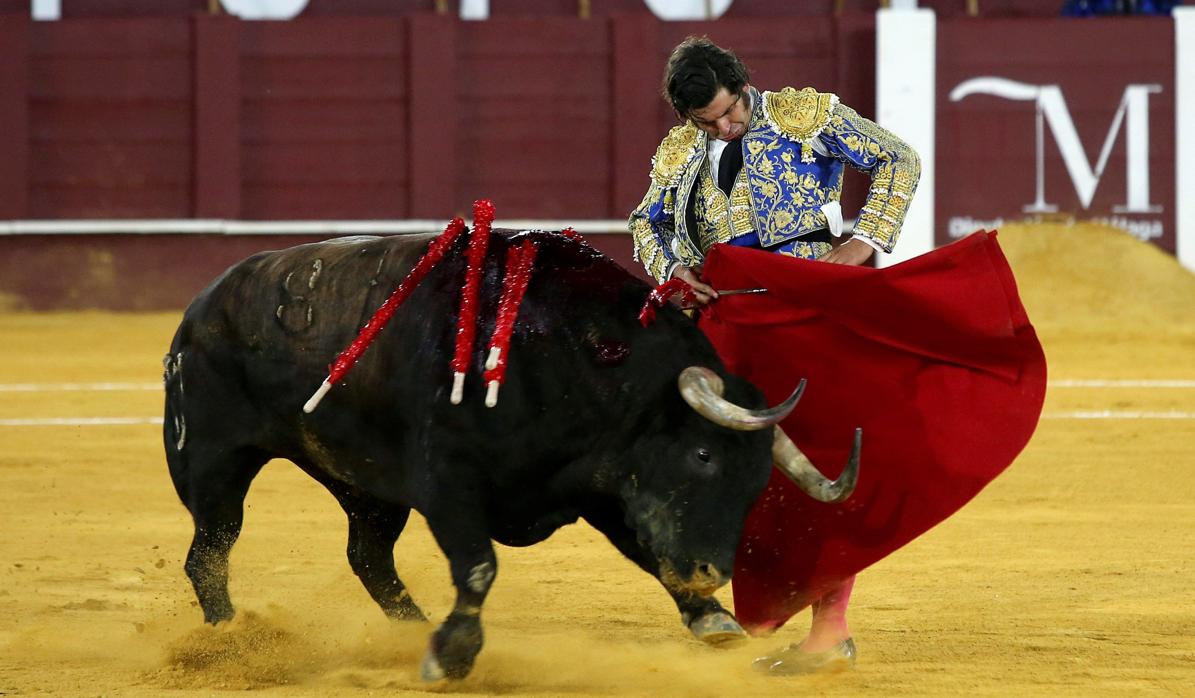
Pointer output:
x,y
697,70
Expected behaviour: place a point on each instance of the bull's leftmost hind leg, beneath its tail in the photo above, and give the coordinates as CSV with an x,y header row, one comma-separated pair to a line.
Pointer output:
x,y
213,487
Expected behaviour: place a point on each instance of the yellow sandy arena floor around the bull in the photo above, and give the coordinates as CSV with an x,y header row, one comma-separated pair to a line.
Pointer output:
x,y
1071,575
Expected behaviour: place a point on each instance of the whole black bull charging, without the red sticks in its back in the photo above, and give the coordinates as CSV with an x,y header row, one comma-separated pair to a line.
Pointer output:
x,y
591,424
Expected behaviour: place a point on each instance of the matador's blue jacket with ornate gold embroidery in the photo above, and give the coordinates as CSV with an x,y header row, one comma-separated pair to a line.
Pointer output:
x,y
794,152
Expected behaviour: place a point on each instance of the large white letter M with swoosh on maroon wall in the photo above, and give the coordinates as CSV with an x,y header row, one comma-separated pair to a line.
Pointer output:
x,y
1133,114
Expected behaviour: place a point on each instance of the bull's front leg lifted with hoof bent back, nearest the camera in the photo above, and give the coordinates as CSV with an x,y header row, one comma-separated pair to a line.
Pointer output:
x,y
456,644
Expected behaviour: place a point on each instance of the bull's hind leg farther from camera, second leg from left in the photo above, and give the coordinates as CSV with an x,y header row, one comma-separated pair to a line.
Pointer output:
x,y
375,526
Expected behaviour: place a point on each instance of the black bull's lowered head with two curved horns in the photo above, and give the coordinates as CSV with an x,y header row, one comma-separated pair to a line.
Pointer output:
x,y
690,501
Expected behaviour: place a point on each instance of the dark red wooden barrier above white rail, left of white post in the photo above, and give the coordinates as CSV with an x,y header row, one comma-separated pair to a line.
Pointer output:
x,y
334,118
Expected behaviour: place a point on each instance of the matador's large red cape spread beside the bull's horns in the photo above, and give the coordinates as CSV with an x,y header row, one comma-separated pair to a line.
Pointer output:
x,y
935,358
